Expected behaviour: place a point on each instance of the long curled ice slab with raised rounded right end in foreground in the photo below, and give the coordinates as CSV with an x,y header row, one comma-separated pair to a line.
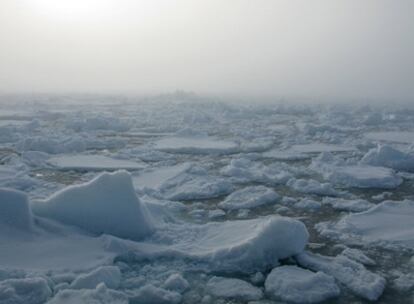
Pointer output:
x,y
244,246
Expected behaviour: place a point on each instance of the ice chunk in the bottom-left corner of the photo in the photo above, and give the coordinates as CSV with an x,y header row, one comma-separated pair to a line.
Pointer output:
x,y
22,291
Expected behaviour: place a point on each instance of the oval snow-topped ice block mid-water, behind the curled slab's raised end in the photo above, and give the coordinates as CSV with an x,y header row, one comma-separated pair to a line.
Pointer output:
x,y
249,197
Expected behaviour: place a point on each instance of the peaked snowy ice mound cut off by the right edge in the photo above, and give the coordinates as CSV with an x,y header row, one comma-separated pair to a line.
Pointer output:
x,y
386,156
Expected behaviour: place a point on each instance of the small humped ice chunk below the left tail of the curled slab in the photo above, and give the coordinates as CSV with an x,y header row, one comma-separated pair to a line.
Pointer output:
x,y
109,275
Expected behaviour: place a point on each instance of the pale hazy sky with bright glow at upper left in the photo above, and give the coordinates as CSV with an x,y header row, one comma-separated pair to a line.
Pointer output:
x,y
347,48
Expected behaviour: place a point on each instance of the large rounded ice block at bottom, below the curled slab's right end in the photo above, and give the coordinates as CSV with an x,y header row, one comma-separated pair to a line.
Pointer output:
x,y
297,285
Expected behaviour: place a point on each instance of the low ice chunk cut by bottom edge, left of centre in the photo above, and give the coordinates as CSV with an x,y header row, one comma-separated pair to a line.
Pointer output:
x,y
150,294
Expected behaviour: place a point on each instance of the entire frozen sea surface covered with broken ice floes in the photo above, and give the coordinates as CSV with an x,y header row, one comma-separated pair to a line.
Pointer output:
x,y
108,201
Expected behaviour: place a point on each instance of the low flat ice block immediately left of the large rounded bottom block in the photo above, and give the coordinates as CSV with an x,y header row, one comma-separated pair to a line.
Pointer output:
x,y
230,288
